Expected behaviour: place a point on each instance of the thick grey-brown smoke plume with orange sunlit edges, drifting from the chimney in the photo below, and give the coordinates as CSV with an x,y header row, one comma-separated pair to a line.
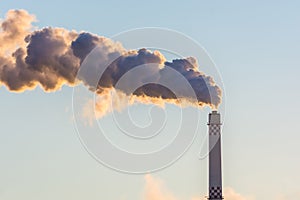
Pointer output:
x,y
51,58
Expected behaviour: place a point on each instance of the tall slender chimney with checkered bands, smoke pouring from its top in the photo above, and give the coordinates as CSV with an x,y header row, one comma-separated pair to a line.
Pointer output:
x,y
215,167
